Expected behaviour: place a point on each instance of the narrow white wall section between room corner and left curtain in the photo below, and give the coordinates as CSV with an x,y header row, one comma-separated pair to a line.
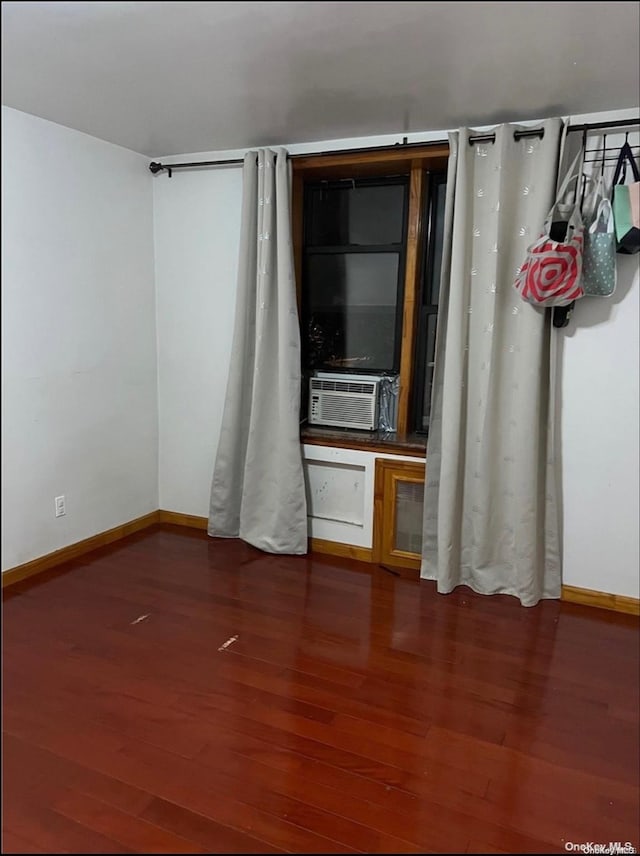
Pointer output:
x,y
197,233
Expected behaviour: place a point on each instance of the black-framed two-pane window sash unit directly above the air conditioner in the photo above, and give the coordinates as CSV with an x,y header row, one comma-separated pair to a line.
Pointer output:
x,y
353,274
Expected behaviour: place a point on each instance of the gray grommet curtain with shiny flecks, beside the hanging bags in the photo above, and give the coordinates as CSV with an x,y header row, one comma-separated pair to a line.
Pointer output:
x,y
490,510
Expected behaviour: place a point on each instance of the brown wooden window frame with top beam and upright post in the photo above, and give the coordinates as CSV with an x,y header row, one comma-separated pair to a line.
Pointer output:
x,y
414,162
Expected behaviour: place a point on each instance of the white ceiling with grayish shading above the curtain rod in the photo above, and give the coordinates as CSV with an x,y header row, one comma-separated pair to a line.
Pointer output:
x,y
167,78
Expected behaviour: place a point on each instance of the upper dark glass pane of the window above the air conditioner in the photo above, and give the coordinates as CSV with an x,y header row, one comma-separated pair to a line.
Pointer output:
x,y
356,215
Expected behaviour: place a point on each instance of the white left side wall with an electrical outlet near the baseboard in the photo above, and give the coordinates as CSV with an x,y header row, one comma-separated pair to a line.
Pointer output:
x,y
79,381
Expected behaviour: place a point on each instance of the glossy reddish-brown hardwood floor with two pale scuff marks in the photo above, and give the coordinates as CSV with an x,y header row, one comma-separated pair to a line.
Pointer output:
x,y
352,710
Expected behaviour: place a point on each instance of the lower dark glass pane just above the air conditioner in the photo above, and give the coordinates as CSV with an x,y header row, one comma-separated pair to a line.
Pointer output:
x,y
350,311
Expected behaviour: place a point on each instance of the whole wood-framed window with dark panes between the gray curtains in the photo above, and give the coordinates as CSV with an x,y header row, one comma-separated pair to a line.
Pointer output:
x,y
368,247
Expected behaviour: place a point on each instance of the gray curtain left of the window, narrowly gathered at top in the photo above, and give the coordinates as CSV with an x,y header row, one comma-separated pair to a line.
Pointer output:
x,y
258,491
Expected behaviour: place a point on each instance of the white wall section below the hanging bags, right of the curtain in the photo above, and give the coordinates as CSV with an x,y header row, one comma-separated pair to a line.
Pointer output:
x,y
600,433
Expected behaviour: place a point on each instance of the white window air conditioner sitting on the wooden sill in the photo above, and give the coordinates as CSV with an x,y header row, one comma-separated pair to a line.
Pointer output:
x,y
344,401
